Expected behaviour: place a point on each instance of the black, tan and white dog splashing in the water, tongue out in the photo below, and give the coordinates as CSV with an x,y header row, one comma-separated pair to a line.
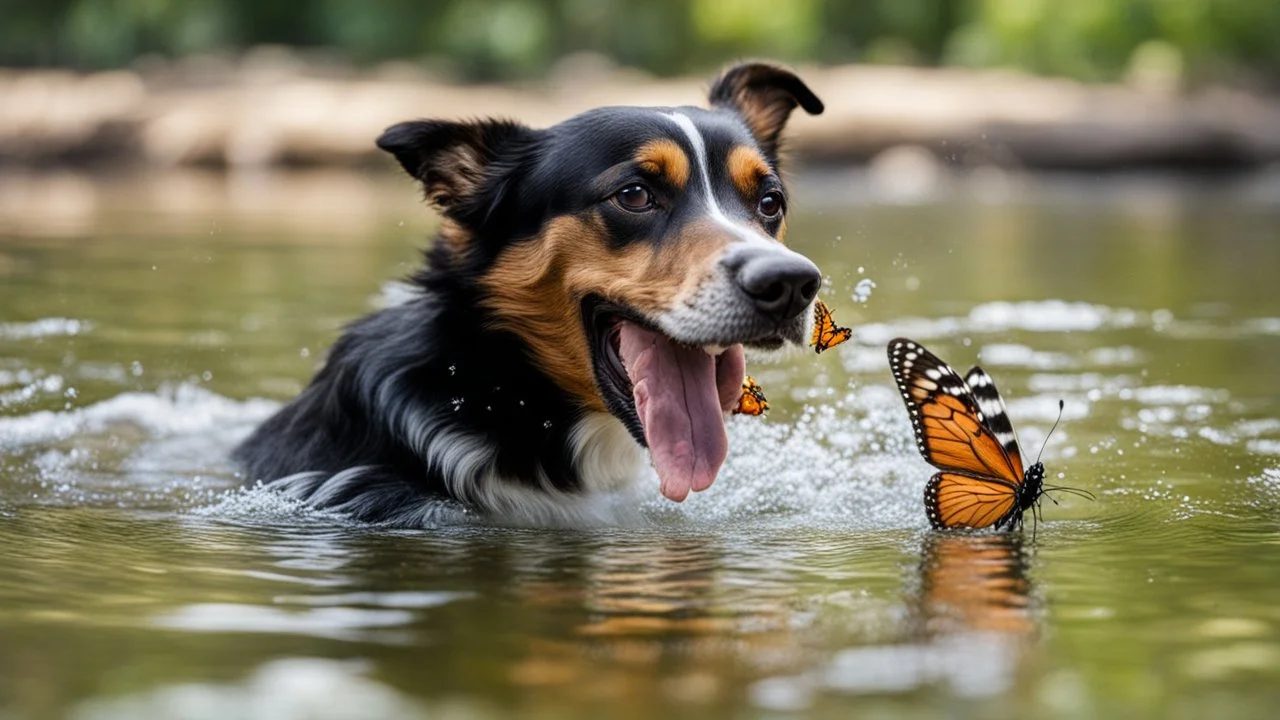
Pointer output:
x,y
580,321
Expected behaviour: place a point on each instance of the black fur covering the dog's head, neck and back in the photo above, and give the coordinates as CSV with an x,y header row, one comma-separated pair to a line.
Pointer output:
x,y
401,382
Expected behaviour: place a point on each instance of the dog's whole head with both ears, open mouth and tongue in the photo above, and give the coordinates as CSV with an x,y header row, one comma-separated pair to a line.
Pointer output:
x,y
634,250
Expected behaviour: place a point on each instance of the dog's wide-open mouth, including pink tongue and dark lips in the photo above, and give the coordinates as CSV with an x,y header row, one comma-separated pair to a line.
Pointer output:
x,y
671,397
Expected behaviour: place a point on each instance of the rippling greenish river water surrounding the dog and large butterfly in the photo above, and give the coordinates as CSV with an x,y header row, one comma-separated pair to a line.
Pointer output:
x,y
148,323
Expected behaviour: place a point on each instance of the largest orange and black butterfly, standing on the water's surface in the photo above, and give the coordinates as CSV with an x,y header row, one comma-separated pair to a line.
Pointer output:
x,y
962,427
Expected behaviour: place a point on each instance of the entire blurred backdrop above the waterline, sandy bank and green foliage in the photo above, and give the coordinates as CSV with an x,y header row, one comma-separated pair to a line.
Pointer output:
x,y
1082,84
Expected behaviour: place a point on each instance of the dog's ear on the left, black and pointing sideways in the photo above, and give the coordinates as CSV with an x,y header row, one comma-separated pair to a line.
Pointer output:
x,y
454,161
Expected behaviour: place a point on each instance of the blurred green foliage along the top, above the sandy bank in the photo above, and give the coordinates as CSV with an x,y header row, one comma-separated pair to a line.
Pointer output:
x,y
520,39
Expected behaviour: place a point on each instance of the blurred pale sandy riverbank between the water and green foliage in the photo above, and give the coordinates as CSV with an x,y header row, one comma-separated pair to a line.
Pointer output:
x,y
272,111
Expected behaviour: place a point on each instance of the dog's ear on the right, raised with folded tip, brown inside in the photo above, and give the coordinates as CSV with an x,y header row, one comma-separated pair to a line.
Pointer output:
x,y
765,97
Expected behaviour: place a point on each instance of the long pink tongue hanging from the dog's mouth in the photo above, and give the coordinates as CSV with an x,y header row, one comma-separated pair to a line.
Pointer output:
x,y
680,395
